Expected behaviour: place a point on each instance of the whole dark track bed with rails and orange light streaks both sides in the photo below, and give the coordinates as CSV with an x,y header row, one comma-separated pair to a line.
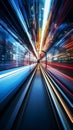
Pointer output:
x,y
38,104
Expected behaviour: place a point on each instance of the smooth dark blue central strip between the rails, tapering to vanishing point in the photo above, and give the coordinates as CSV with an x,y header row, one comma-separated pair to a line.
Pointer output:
x,y
38,113
